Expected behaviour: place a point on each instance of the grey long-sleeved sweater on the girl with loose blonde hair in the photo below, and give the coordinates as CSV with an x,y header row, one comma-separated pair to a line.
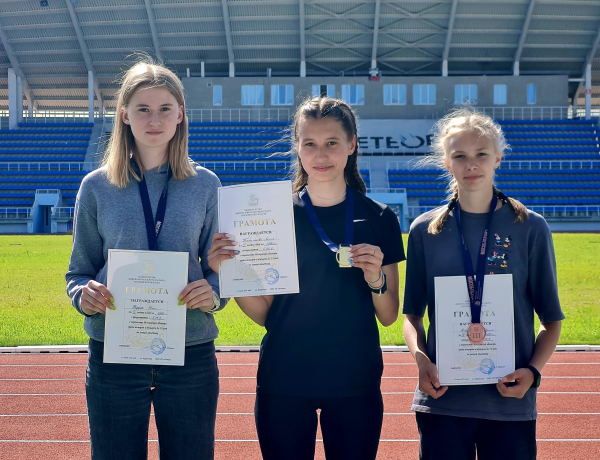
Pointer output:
x,y
107,217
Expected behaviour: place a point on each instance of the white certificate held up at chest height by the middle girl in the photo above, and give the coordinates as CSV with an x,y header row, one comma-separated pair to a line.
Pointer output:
x,y
261,217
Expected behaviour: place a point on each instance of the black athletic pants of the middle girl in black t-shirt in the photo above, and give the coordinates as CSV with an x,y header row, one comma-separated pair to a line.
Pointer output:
x,y
287,426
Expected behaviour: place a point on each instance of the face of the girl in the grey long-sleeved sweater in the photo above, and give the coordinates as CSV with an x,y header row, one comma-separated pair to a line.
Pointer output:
x,y
153,114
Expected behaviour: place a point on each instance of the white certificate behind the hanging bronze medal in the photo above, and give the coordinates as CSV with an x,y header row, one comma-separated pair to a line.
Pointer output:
x,y
459,361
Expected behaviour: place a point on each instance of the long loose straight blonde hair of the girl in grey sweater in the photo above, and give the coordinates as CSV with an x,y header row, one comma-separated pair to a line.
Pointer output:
x,y
121,145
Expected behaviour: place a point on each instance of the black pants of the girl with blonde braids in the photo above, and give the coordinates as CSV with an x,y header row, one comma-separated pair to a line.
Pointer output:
x,y
457,438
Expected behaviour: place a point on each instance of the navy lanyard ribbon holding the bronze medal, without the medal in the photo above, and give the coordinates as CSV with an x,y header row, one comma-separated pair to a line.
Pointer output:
x,y
475,286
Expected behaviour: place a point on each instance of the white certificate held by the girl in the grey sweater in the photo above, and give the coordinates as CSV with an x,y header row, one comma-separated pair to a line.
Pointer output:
x,y
148,325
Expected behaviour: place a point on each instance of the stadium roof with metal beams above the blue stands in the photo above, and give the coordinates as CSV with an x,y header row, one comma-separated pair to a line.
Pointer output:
x,y
55,46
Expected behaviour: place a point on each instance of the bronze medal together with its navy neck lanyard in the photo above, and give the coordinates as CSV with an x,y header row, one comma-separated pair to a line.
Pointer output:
x,y
476,332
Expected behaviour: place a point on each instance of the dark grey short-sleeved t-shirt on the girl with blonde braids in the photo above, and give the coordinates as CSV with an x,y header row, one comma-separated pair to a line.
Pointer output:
x,y
524,250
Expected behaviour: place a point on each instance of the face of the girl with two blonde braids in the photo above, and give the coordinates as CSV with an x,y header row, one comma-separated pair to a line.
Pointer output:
x,y
472,160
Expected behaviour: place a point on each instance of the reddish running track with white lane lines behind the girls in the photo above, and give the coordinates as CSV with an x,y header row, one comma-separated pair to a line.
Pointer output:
x,y
43,411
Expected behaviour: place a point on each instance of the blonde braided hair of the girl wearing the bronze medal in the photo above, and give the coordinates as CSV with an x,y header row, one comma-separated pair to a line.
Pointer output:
x,y
458,121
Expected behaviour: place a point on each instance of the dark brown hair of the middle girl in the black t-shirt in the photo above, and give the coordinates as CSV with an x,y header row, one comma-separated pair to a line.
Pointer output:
x,y
326,107
